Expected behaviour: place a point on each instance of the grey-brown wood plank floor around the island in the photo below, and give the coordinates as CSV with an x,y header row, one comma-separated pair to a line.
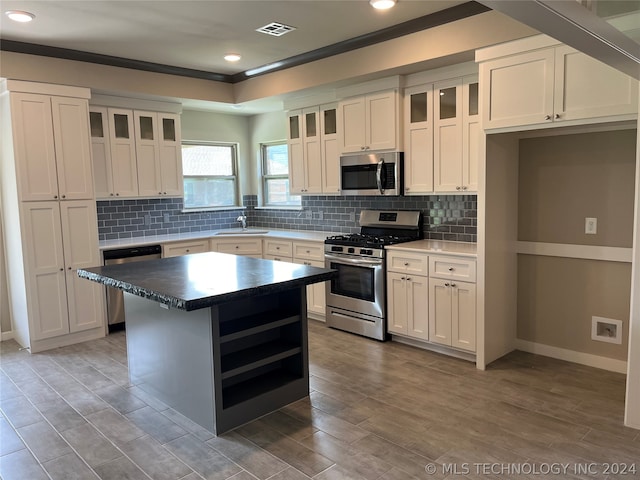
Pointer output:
x,y
375,411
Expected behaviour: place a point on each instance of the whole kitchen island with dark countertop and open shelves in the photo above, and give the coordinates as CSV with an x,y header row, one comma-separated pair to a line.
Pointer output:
x,y
220,338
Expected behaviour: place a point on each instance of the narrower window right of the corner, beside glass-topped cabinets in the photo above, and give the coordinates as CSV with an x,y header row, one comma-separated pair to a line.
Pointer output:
x,y
275,166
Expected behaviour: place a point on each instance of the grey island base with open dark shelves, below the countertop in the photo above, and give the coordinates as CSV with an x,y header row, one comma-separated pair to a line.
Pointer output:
x,y
225,365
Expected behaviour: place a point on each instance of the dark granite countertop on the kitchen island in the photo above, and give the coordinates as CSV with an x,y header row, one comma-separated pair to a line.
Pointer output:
x,y
200,280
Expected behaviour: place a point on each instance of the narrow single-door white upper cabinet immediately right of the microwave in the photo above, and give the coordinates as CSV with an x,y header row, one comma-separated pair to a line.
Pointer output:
x,y
418,141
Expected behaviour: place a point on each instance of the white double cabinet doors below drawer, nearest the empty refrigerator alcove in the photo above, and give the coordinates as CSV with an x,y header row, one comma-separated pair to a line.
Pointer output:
x,y
452,313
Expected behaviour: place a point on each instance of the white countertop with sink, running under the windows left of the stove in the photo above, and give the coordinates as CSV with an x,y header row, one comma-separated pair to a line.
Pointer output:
x,y
300,235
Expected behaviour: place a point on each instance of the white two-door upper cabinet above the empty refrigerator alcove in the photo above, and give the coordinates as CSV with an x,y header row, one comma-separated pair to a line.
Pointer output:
x,y
552,85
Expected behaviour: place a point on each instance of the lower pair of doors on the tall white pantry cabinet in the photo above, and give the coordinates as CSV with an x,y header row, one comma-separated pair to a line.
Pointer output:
x,y
62,238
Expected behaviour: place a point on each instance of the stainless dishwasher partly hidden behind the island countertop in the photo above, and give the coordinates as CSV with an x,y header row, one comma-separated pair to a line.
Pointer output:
x,y
115,301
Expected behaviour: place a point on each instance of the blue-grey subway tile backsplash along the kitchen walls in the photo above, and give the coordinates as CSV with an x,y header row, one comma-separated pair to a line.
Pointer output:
x,y
446,217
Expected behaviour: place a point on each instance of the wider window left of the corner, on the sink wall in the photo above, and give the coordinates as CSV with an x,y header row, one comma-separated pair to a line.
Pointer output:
x,y
209,175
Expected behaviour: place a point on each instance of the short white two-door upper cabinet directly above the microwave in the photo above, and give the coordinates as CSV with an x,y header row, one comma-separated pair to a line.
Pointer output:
x,y
369,122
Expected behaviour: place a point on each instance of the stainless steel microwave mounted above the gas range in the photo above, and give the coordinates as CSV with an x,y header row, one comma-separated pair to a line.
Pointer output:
x,y
372,174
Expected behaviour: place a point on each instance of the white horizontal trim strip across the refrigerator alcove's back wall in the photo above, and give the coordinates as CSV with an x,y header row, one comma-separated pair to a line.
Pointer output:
x,y
588,252
